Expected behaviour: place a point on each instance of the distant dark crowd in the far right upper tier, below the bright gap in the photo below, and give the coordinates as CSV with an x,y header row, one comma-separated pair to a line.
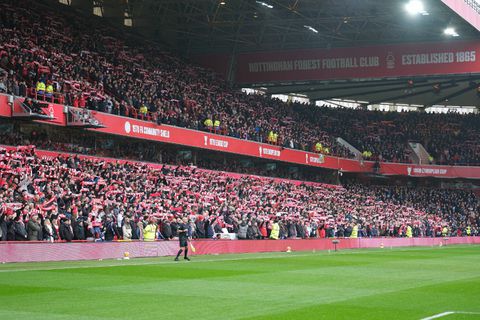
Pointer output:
x,y
450,139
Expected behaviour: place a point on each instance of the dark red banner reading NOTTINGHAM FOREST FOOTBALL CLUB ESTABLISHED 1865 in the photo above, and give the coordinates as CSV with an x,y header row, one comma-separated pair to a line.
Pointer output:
x,y
414,59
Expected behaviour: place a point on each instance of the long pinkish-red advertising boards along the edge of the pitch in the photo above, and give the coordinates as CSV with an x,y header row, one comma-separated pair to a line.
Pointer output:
x,y
41,251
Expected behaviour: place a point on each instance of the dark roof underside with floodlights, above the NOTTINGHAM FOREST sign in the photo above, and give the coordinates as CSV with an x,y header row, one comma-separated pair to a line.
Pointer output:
x,y
199,26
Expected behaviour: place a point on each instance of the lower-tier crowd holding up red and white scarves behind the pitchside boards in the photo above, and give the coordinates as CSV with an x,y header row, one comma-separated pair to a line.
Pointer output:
x,y
78,198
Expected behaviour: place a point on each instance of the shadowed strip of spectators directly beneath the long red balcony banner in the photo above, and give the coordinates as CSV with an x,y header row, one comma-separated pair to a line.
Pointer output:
x,y
63,140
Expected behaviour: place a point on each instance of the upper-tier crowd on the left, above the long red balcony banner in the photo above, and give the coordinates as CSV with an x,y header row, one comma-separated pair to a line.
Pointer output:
x,y
127,76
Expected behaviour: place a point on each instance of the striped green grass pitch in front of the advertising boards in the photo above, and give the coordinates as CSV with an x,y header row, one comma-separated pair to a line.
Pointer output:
x,y
402,283
